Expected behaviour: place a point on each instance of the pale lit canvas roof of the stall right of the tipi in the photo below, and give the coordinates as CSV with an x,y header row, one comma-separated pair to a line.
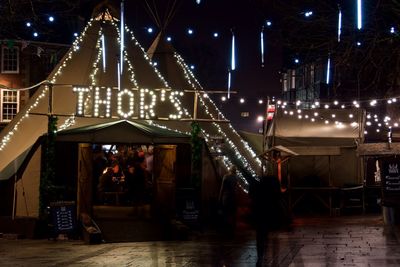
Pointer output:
x,y
331,127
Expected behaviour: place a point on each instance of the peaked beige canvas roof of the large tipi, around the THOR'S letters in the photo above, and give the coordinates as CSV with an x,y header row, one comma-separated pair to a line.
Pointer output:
x,y
82,66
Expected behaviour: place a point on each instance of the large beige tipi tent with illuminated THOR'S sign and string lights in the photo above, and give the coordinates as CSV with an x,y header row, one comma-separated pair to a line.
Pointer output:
x,y
95,92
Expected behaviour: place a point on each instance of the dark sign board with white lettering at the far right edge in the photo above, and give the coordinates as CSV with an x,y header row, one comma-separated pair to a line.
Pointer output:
x,y
391,181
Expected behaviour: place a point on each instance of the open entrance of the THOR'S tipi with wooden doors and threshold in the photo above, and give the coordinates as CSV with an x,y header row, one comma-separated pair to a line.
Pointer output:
x,y
129,189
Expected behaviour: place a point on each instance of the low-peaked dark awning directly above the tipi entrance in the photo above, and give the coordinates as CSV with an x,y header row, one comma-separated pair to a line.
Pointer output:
x,y
123,131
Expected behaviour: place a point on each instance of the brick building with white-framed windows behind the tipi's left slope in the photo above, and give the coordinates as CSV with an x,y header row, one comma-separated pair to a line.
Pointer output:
x,y
23,64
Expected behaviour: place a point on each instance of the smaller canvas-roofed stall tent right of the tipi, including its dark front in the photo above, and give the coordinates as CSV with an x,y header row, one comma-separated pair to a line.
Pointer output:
x,y
326,142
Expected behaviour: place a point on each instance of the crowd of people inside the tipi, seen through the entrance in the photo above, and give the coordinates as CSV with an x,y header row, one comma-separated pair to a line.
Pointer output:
x,y
127,170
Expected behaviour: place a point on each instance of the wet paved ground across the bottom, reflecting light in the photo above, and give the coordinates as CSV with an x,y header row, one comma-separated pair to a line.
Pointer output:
x,y
329,241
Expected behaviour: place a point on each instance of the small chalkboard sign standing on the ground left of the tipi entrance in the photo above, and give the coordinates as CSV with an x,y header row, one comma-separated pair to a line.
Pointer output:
x,y
64,216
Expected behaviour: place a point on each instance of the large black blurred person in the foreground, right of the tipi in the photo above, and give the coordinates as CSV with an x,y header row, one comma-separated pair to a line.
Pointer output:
x,y
267,210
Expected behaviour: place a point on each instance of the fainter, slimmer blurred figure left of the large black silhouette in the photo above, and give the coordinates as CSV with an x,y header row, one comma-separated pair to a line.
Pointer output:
x,y
227,200
